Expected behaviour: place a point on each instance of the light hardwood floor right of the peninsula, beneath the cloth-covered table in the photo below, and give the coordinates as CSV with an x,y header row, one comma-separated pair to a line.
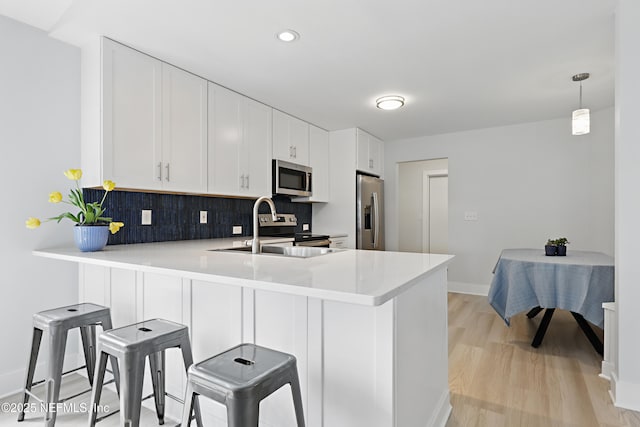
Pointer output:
x,y
497,379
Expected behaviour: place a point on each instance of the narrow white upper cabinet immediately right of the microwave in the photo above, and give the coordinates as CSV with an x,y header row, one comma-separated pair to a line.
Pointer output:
x,y
319,160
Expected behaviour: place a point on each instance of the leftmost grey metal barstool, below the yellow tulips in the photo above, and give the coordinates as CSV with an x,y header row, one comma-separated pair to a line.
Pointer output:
x,y
56,323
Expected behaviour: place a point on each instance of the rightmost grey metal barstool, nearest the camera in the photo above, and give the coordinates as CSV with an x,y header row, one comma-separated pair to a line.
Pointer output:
x,y
240,378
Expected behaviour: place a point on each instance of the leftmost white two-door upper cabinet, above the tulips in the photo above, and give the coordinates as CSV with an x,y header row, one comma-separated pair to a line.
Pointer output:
x,y
153,123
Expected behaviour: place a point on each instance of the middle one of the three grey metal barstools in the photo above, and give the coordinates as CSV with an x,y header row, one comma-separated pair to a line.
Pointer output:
x,y
131,345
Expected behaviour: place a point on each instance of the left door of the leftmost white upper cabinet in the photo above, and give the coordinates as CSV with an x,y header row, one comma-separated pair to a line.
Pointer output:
x,y
132,113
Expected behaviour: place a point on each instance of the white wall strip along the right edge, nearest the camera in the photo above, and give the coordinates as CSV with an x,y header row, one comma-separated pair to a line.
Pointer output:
x,y
626,376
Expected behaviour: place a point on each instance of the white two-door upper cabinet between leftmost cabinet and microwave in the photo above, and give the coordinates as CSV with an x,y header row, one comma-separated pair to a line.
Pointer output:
x,y
239,144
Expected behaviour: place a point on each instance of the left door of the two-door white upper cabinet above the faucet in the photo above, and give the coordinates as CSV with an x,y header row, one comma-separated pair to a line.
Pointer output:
x,y
225,139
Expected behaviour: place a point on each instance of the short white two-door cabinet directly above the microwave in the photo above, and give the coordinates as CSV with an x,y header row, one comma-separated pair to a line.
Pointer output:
x,y
290,138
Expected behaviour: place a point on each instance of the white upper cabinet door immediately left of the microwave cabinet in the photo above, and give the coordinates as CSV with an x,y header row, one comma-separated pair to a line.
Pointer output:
x,y
255,154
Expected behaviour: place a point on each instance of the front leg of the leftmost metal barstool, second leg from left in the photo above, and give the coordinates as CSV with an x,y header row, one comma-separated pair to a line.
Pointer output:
x,y
57,344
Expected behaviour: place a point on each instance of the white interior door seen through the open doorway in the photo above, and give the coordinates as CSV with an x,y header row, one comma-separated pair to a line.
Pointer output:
x,y
435,213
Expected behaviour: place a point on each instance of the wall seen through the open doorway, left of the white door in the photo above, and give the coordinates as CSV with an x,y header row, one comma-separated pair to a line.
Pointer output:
x,y
410,203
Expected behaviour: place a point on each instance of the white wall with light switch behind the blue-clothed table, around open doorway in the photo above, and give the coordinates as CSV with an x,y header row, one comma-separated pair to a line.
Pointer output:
x,y
528,182
